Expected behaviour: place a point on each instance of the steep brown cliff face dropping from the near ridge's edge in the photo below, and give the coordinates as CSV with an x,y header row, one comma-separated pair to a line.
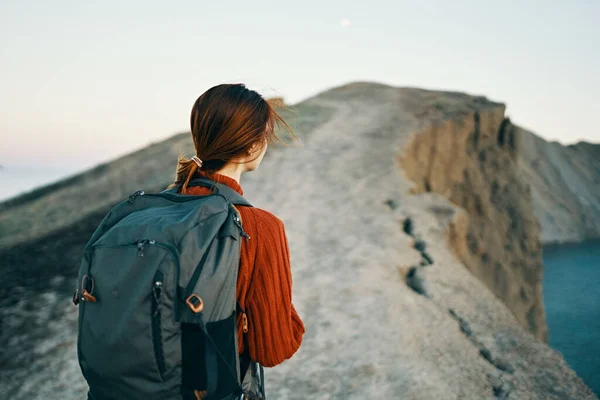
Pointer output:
x,y
471,160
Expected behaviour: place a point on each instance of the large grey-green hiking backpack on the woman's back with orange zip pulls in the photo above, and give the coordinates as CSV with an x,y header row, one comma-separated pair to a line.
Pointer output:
x,y
157,300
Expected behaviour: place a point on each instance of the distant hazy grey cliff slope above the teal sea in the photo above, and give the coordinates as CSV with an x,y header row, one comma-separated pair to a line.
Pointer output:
x,y
565,186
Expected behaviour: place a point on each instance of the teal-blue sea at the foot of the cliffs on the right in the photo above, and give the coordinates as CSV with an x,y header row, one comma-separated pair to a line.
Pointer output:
x,y
572,299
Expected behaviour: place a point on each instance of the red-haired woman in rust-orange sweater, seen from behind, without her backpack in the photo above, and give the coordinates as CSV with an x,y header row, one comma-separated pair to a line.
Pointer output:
x,y
231,127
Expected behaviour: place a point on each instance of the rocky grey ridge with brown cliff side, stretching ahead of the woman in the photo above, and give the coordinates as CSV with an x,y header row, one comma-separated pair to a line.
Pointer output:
x,y
379,273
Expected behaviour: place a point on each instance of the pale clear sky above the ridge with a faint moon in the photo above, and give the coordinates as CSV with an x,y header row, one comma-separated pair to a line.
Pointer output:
x,y
82,83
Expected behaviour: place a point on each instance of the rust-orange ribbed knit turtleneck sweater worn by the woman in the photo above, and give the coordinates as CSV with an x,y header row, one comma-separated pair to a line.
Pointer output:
x,y
264,286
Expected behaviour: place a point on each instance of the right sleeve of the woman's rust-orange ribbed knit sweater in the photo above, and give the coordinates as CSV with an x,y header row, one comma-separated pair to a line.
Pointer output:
x,y
274,328
